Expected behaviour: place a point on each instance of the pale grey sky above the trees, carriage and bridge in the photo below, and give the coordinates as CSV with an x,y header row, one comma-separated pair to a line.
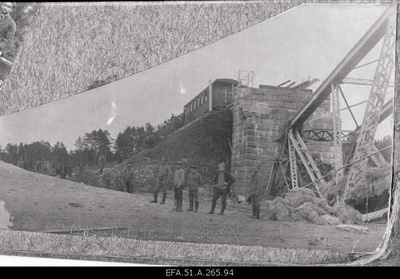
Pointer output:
x,y
305,42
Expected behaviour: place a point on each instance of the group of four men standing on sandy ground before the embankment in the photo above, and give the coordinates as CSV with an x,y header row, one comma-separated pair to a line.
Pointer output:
x,y
193,180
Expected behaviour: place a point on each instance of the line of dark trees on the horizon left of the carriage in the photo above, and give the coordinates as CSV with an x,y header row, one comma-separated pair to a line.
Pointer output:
x,y
89,147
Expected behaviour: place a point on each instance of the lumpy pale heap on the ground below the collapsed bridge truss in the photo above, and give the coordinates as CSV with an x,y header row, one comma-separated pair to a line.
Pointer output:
x,y
303,205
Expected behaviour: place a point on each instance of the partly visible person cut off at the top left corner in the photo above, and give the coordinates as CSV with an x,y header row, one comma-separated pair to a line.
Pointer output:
x,y
7,32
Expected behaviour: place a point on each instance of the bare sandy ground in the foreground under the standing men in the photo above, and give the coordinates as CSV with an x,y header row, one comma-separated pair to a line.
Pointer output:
x,y
39,203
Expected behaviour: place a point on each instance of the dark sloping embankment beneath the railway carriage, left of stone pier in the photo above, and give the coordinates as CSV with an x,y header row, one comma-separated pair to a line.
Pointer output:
x,y
203,142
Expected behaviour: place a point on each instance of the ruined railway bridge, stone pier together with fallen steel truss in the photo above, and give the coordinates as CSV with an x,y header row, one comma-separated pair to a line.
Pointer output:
x,y
279,127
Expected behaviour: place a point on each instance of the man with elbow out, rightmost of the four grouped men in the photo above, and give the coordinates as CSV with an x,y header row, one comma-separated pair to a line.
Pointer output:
x,y
222,181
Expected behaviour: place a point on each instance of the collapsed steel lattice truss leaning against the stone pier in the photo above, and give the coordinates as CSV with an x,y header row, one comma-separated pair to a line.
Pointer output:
x,y
292,147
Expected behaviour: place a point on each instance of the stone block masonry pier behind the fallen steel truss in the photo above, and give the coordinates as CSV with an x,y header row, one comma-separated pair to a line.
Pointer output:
x,y
259,119
